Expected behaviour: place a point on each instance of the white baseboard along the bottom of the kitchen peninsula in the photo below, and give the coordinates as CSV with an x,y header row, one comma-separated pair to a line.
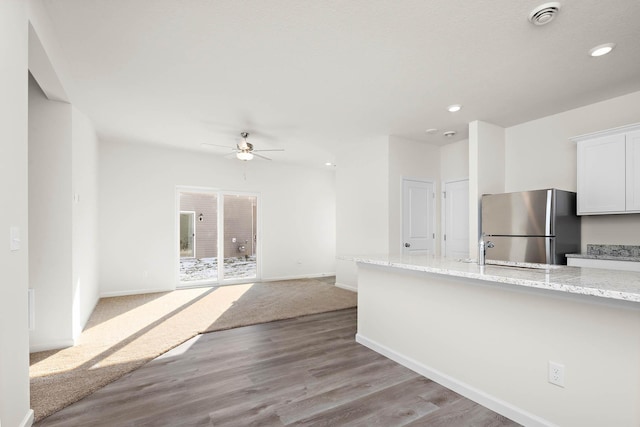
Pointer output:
x,y
497,405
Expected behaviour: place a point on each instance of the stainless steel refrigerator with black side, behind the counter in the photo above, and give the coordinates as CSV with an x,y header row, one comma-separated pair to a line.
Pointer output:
x,y
539,226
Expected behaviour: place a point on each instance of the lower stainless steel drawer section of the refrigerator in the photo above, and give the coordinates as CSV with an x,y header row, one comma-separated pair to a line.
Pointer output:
x,y
538,250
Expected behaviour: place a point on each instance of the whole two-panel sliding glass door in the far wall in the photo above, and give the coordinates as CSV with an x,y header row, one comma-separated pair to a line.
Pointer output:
x,y
216,226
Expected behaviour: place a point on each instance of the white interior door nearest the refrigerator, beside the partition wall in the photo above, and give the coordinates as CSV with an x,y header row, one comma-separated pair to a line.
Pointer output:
x,y
456,219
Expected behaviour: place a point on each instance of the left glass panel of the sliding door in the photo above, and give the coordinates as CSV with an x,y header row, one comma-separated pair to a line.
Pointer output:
x,y
198,237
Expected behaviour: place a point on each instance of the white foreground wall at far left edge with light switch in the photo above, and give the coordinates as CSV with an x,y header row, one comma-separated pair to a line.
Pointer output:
x,y
14,336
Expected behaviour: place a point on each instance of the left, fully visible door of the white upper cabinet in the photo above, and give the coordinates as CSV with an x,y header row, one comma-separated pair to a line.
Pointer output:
x,y
601,175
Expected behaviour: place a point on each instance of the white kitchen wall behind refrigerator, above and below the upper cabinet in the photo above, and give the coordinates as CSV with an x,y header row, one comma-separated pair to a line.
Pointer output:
x,y
538,154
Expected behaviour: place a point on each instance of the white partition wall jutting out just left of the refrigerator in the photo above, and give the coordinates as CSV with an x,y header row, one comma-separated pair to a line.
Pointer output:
x,y
486,172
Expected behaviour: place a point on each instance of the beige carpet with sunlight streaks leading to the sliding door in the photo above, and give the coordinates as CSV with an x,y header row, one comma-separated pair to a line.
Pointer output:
x,y
124,333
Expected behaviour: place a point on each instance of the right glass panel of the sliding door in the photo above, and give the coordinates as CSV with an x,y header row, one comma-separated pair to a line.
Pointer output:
x,y
240,236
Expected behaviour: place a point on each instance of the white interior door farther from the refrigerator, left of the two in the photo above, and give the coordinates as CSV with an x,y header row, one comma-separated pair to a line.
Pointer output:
x,y
418,217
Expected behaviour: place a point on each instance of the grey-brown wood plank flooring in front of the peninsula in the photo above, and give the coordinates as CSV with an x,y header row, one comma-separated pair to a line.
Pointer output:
x,y
307,371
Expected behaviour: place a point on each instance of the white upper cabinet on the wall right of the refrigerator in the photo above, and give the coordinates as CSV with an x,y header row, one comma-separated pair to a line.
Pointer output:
x,y
609,171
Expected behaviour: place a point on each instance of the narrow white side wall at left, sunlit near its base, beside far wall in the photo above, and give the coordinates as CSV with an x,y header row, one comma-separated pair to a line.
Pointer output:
x,y
84,186
